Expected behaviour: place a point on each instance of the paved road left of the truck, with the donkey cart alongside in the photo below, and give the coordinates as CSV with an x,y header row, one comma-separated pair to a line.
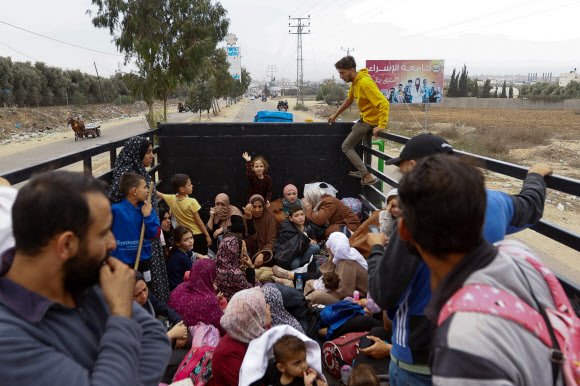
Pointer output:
x,y
66,146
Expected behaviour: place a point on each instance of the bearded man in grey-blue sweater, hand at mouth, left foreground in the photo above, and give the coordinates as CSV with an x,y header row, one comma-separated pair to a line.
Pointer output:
x,y
56,324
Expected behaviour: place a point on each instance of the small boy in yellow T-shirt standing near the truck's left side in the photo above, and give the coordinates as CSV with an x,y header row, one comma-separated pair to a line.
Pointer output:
x,y
186,211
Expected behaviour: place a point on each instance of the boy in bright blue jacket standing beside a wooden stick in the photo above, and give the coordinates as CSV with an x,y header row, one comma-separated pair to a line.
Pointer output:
x,y
128,218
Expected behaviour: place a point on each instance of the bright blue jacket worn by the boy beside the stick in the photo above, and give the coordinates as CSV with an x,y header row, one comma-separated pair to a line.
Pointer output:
x,y
127,222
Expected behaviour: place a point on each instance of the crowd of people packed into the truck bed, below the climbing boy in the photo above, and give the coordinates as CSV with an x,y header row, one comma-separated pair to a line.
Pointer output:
x,y
248,297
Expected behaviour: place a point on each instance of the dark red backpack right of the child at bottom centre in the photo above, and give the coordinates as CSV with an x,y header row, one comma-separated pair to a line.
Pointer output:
x,y
341,351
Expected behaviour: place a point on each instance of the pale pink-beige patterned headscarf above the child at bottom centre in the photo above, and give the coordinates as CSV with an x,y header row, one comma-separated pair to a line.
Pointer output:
x,y
245,317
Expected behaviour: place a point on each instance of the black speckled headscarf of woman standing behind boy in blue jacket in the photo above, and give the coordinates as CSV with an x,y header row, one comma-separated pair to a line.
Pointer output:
x,y
130,160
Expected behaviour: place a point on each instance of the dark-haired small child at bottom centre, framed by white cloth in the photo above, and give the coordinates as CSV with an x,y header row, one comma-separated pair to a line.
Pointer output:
x,y
291,367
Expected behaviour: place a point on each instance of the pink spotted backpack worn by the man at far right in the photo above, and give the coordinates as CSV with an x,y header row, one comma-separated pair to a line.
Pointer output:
x,y
558,329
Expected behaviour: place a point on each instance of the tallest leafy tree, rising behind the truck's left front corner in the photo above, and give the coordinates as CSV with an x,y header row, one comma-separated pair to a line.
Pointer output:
x,y
167,38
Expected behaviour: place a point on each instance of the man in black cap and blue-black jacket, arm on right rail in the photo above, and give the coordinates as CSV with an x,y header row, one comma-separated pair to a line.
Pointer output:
x,y
399,279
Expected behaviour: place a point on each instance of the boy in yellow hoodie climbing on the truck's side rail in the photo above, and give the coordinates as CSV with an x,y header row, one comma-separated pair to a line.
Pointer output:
x,y
374,113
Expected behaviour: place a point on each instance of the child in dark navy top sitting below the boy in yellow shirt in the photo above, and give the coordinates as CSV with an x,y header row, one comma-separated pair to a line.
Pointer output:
x,y
181,256
